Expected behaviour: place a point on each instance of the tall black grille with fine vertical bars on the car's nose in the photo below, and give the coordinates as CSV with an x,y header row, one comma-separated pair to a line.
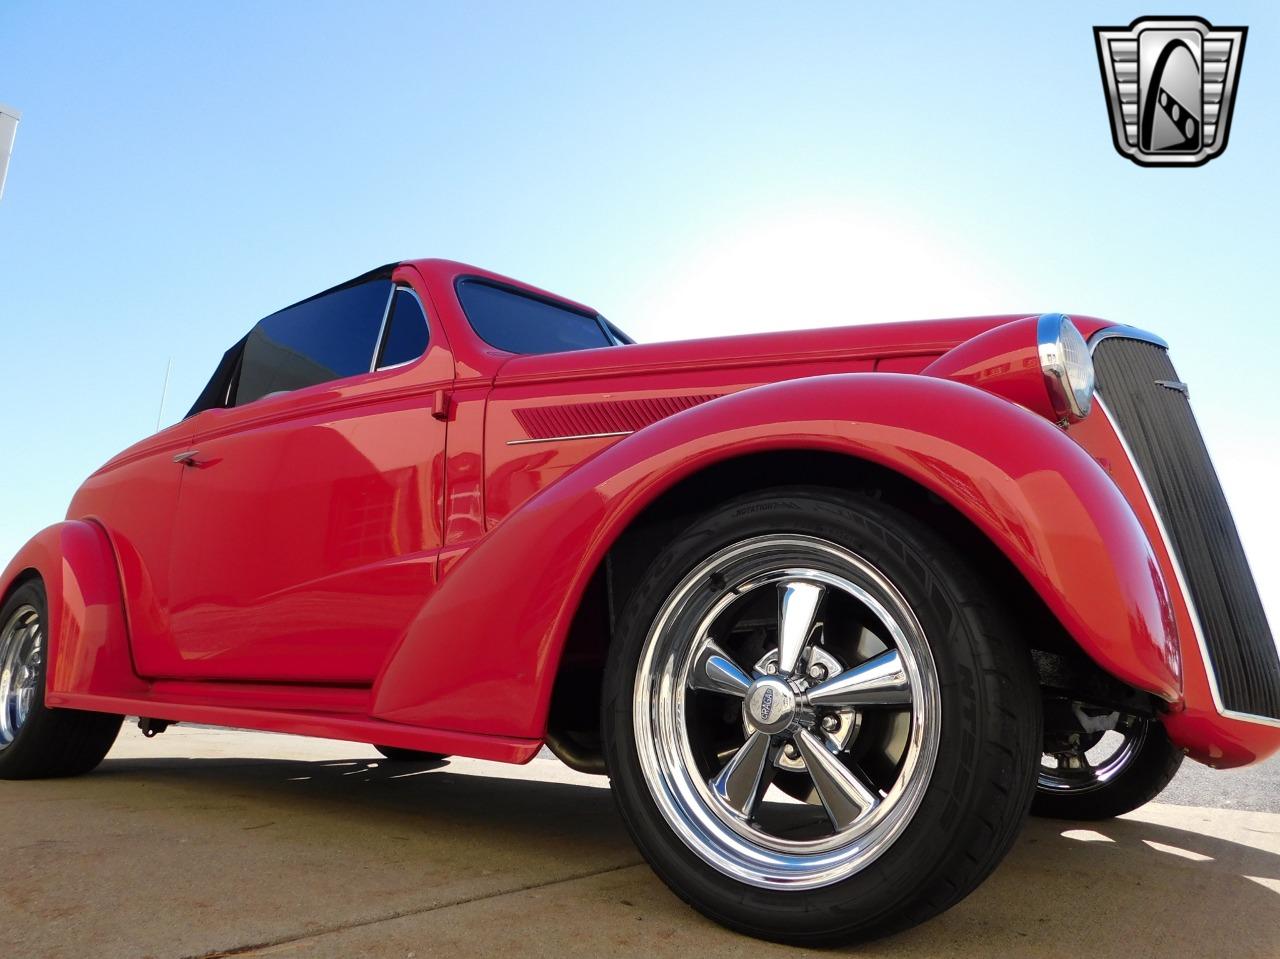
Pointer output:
x,y
1150,407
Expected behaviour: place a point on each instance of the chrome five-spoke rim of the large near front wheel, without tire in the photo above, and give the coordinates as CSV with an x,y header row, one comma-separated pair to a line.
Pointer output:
x,y
788,711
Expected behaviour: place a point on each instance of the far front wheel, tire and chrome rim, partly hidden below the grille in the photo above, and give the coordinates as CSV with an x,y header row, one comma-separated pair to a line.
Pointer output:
x,y
1104,775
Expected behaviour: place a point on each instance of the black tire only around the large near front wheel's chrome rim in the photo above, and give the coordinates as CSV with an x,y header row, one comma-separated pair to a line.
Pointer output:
x,y
985,774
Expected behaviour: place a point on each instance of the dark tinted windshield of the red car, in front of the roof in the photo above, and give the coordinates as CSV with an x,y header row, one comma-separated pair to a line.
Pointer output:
x,y
525,325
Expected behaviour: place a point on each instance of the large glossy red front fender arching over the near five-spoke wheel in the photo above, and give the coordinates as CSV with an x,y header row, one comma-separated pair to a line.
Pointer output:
x,y
483,654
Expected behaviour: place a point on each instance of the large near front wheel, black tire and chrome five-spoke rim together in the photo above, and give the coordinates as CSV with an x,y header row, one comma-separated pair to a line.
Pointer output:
x,y
819,725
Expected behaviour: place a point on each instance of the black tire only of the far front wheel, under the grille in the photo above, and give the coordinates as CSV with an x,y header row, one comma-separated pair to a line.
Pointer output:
x,y
1144,777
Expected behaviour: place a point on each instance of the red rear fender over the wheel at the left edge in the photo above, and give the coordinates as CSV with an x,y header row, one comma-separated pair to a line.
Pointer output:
x,y
89,647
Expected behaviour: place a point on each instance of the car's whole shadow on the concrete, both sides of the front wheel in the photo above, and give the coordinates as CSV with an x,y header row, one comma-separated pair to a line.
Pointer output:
x,y
1067,889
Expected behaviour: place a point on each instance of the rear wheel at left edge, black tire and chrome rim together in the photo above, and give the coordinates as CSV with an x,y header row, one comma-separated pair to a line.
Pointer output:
x,y
38,742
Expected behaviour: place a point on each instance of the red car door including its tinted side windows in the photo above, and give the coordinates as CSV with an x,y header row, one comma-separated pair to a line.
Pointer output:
x,y
310,520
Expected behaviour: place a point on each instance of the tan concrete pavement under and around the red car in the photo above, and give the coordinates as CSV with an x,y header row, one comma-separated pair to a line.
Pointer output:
x,y
212,843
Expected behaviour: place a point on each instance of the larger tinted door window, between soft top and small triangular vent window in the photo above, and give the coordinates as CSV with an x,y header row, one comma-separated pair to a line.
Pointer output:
x,y
319,340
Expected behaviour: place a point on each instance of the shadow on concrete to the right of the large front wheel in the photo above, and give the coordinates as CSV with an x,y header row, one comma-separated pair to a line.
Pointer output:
x,y
1122,889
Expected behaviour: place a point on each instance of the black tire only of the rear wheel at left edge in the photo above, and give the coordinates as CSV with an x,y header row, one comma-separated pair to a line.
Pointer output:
x,y
51,743
